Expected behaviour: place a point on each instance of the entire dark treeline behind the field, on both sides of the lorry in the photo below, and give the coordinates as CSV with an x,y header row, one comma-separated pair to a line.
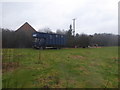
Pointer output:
x,y
12,39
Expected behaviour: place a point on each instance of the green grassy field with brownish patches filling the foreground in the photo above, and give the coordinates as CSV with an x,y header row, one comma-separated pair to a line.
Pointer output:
x,y
64,68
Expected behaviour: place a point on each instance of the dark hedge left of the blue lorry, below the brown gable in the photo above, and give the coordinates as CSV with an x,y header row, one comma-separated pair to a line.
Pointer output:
x,y
12,39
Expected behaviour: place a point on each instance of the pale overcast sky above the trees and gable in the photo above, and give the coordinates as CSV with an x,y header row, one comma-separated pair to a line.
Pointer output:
x,y
92,16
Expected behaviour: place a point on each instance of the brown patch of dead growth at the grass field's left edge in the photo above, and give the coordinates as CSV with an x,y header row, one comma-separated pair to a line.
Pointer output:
x,y
9,66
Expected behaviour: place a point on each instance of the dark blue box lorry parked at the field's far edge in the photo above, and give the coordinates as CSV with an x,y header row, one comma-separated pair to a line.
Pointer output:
x,y
43,40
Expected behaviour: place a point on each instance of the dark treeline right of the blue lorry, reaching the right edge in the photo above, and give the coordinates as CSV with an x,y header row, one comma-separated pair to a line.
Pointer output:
x,y
84,40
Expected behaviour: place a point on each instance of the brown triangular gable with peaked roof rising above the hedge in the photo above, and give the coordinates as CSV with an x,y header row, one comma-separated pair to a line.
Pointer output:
x,y
26,27
